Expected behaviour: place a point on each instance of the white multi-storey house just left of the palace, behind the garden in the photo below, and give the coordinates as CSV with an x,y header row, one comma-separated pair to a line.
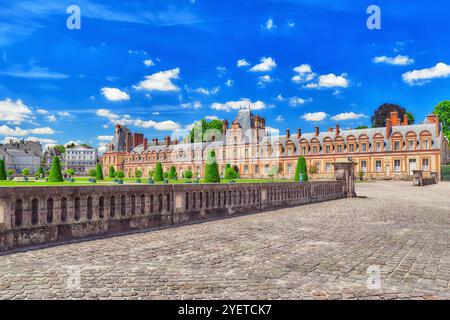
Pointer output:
x,y
81,159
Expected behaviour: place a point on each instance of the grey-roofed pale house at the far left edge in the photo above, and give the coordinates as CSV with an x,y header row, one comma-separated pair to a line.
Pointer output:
x,y
18,156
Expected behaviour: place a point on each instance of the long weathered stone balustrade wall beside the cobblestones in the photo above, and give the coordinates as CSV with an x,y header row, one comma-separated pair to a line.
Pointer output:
x,y
31,216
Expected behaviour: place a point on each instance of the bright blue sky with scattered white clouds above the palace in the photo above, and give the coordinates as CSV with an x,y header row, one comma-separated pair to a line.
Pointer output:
x,y
158,66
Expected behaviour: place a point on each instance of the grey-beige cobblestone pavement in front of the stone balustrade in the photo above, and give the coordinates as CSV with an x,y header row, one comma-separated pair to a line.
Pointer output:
x,y
319,251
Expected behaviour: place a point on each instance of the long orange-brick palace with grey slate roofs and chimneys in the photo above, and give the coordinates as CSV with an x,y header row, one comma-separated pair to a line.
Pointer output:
x,y
391,152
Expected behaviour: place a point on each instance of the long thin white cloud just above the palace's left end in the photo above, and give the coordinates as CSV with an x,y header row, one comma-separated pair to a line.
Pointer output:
x,y
115,118
